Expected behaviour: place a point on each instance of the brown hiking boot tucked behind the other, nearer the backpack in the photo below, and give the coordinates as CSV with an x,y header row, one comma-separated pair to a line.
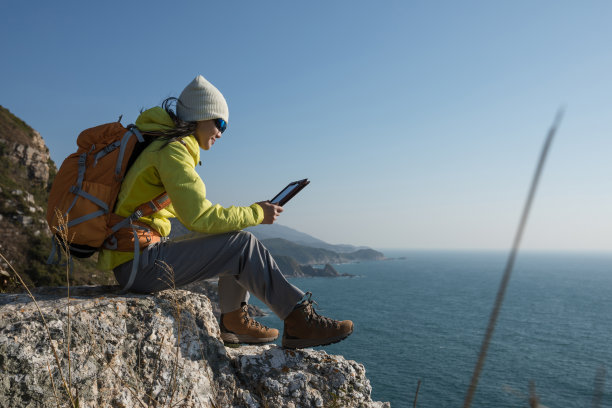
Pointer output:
x,y
238,327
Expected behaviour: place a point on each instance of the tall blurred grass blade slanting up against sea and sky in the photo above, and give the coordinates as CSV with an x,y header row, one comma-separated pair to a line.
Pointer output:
x,y
510,263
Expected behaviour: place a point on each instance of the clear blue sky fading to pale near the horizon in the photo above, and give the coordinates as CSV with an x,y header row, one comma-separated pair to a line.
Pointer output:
x,y
419,123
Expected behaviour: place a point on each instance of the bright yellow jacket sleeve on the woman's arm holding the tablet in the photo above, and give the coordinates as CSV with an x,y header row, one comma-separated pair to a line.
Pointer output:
x,y
176,169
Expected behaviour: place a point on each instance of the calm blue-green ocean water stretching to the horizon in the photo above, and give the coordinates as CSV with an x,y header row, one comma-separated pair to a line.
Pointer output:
x,y
423,317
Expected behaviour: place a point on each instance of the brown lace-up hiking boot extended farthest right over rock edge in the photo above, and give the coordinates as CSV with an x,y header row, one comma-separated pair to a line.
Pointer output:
x,y
305,328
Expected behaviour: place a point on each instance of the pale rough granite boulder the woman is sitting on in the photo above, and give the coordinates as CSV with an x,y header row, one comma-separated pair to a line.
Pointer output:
x,y
132,350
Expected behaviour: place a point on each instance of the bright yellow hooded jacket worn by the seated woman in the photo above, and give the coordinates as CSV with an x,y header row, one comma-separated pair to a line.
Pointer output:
x,y
172,169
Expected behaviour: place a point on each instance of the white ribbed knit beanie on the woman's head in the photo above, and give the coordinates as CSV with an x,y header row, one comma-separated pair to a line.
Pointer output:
x,y
200,100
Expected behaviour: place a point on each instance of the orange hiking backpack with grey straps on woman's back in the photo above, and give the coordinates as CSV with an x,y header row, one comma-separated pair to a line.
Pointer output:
x,y
85,190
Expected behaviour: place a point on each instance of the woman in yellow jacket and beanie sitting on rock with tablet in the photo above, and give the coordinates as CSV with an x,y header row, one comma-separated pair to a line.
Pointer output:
x,y
241,262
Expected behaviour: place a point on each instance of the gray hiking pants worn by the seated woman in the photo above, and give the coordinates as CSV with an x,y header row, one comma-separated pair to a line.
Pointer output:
x,y
240,261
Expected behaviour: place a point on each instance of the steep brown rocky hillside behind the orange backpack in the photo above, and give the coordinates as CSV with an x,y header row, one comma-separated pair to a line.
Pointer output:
x,y
26,171
